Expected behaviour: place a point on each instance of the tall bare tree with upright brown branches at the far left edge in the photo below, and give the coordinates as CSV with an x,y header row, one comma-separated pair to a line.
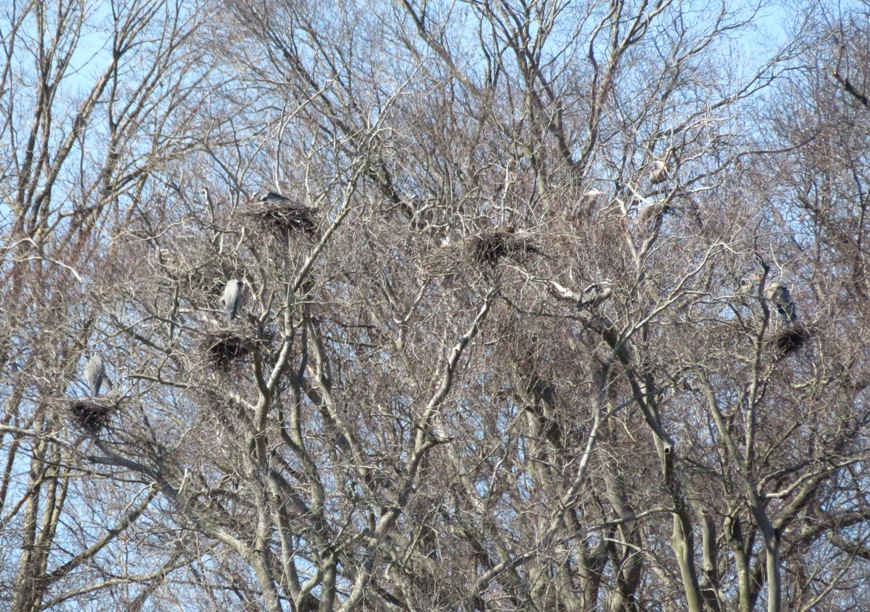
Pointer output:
x,y
94,102
